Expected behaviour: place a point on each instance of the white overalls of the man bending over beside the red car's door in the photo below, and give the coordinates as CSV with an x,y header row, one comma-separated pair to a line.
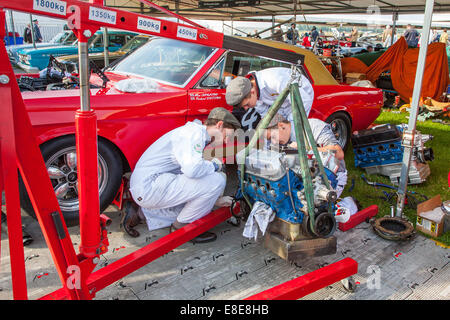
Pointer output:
x,y
271,82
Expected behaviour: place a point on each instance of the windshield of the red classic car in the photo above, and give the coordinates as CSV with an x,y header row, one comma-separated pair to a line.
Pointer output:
x,y
165,60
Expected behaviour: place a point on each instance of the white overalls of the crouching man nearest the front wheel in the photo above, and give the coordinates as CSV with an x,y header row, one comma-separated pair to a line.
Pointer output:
x,y
172,174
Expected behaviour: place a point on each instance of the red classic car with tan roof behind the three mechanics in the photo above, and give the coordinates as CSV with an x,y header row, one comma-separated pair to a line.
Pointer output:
x,y
190,82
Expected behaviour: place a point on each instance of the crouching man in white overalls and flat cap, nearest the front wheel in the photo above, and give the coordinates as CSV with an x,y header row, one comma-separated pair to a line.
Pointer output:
x,y
172,185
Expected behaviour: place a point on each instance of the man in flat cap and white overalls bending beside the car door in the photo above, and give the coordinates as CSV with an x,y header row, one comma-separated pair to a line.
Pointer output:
x,y
253,95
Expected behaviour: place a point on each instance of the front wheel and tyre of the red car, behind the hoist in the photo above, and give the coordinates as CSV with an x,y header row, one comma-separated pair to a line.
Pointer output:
x,y
59,154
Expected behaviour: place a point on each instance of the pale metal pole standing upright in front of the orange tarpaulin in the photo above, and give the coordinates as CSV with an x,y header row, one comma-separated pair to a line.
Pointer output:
x,y
409,135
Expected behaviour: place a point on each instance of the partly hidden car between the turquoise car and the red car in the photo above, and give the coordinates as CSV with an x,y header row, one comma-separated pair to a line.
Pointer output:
x,y
71,61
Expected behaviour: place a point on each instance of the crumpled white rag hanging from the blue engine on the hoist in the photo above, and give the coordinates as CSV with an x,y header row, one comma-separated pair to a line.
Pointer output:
x,y
260,216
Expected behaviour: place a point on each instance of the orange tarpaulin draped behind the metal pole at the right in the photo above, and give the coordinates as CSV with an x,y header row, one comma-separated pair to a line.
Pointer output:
x,y
402,63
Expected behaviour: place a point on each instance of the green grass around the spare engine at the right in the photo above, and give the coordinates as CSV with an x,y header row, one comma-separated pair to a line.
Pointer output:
x,y
437,182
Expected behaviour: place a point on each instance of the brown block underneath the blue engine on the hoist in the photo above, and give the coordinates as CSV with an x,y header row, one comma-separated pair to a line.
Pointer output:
x,y
288,241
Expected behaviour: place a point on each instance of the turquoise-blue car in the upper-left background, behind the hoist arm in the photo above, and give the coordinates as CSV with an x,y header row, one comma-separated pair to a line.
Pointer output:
x,y
33,60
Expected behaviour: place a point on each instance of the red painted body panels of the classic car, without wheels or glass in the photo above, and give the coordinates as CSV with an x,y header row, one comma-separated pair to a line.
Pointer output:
x,y
134,121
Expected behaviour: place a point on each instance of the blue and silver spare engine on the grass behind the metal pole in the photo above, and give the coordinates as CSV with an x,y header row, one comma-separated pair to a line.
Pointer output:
x,y
379,150
